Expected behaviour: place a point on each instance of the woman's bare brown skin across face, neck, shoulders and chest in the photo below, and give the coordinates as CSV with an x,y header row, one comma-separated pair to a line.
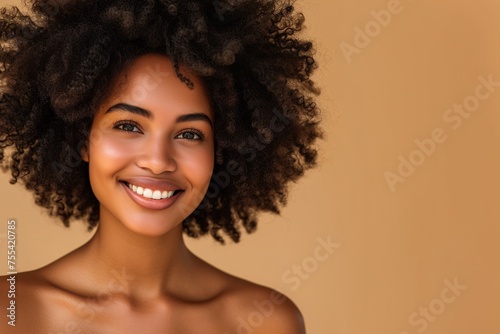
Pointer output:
x,y
136,274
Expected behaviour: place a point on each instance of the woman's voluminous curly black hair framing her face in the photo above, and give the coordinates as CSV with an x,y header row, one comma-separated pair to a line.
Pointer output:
x,y
58,60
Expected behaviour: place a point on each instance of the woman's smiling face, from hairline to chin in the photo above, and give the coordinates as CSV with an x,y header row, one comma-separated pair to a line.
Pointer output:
x,y
151,148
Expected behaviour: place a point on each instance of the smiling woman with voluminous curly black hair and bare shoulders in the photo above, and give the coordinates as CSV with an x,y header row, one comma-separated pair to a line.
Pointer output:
x,y
148,119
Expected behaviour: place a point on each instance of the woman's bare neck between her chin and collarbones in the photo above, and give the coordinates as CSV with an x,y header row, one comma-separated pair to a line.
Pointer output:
x,y
144,266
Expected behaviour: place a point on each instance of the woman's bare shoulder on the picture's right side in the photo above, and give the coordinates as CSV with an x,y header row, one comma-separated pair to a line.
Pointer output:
x,y
253,308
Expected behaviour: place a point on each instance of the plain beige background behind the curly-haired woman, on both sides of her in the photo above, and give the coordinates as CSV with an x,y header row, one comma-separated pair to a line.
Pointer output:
x,y
397,248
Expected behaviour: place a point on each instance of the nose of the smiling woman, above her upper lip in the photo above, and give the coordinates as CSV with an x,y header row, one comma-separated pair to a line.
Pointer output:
x,y
157,157
